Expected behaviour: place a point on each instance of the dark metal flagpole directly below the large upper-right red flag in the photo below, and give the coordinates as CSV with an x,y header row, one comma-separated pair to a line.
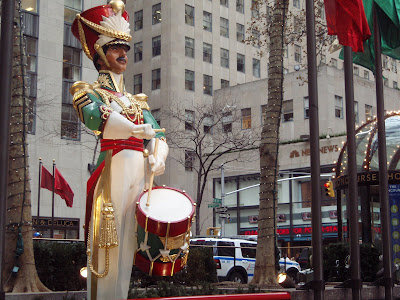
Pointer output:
x,y
352,198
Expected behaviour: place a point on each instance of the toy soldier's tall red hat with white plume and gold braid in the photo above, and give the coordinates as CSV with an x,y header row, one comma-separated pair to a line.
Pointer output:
x,y
102,25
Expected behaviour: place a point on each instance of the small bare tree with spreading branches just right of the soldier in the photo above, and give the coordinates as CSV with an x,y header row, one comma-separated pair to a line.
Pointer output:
x,y
206,133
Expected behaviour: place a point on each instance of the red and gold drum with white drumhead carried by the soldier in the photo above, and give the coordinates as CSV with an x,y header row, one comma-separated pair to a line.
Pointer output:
x,y
163,231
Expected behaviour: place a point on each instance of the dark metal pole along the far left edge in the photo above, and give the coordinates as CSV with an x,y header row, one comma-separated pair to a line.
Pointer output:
x,y
6,59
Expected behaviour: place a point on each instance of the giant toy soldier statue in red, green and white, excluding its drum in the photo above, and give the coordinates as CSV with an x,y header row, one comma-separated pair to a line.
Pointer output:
x,y
128,138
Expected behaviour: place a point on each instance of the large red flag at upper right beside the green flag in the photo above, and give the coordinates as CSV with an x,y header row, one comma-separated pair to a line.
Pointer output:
x,y
347,20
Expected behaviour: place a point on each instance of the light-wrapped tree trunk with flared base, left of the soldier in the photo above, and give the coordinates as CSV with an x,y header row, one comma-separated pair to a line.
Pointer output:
x,y
20,271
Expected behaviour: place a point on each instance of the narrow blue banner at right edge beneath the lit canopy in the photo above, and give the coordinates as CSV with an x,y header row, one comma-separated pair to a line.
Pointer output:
x,y
394,202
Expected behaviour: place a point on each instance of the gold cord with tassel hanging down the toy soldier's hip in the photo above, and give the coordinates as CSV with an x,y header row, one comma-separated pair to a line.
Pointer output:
x,y
108,231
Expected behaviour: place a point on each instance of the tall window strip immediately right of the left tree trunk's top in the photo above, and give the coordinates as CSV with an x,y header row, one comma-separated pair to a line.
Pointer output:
x,y
31,33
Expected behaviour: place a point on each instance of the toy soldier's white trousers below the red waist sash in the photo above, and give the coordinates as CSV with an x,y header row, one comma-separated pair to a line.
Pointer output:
x,y
127,182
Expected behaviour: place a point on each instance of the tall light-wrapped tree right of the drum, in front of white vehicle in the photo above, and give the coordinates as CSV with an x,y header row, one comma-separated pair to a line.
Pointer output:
x,y
272,28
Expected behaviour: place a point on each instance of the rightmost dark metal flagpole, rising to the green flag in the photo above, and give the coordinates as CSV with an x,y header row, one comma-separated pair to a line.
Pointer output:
x,y
382,156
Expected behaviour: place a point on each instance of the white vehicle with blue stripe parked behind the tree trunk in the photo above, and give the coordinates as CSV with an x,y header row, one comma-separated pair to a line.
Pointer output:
x,y
235,258
